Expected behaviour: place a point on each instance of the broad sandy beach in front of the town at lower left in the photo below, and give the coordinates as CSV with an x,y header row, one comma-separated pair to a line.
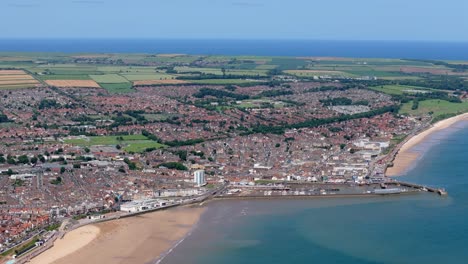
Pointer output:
x,y
139,239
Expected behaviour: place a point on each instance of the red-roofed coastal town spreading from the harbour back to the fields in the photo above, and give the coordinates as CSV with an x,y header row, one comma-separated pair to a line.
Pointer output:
x,y
75,152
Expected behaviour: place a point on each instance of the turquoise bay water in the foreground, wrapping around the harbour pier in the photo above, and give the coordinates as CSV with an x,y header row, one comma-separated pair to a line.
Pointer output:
x,y
420,228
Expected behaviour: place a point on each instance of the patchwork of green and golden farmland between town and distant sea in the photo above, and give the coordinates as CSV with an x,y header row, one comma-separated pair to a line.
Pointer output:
x,y
119,73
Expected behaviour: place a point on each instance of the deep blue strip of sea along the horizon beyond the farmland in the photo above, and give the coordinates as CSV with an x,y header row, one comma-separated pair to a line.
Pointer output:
x,y
334,48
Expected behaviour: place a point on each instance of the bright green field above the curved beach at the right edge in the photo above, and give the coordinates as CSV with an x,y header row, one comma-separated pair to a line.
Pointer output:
x,y
438,107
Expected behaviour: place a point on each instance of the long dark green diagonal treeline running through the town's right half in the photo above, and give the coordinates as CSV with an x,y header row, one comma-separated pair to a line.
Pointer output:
x,y
264,129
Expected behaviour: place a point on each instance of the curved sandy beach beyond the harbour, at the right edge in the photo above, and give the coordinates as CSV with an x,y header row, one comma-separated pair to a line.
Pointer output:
x,y
407,155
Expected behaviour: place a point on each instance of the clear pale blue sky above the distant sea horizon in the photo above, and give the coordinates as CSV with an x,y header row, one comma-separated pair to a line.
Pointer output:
x,y
442,20
